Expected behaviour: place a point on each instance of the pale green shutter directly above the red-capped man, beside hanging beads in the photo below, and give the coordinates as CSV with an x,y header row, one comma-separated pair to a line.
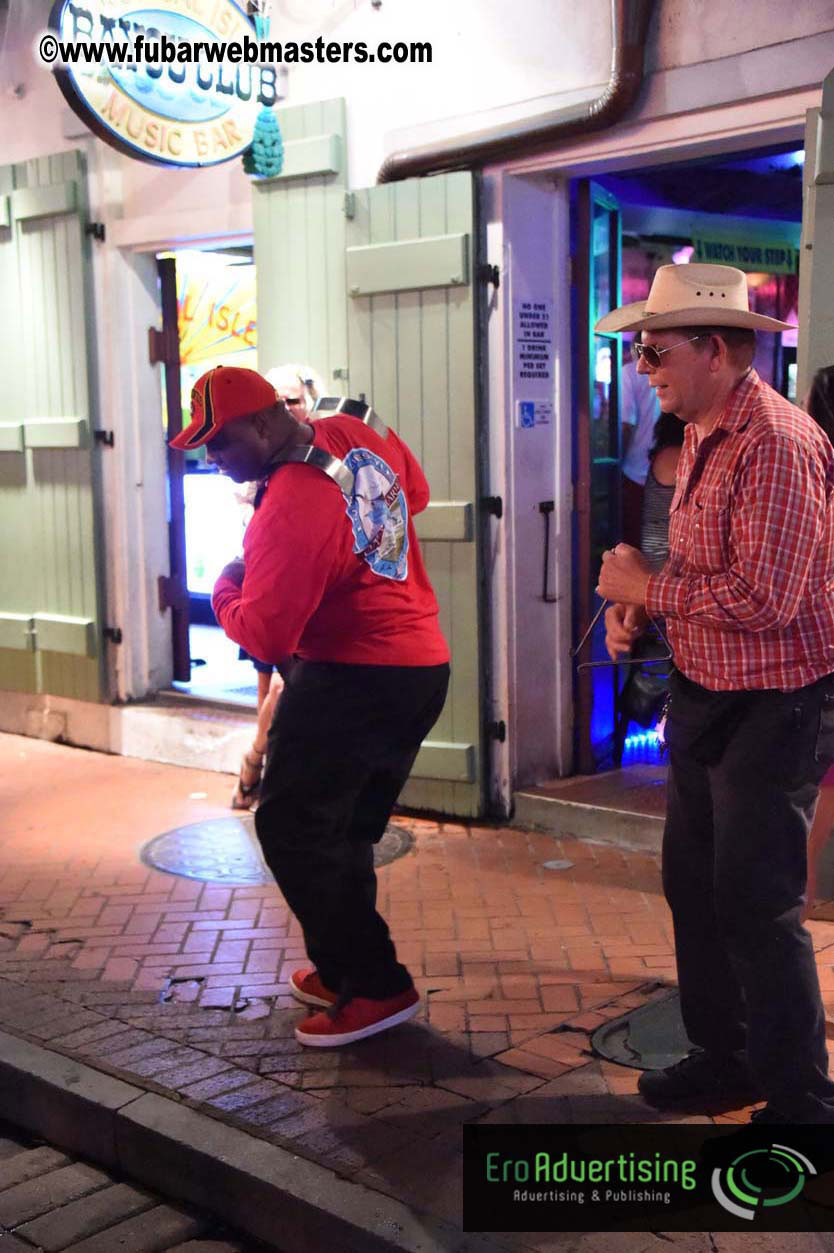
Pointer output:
x,y
300,246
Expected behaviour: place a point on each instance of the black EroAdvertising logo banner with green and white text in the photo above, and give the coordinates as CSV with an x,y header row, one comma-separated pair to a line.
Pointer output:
x,y
647,1177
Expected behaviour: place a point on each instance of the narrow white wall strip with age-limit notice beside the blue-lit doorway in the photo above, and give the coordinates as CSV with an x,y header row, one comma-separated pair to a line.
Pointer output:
x,y
532,637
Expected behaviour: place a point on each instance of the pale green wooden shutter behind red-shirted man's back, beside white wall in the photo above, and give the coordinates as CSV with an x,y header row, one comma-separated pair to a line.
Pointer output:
x,y
413,353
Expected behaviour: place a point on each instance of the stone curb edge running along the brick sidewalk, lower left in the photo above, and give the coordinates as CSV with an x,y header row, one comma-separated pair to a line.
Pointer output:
x,y
265,1191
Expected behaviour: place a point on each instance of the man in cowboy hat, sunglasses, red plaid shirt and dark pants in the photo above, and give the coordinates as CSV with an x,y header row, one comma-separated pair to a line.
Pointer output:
x,y
748,597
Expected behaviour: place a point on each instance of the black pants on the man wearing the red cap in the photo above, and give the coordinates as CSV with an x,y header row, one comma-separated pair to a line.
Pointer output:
x,y
341,746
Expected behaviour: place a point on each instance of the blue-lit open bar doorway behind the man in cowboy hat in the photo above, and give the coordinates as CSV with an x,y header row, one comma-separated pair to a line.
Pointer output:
x,y
742,210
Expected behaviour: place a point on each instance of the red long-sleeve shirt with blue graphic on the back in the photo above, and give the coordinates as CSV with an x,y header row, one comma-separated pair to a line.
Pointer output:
x,y
337,580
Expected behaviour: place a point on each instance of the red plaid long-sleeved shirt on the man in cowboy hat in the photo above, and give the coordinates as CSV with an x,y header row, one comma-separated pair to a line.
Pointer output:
x,y
748,591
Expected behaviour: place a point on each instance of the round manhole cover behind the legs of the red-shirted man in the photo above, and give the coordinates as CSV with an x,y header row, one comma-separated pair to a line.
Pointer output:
x,y
227,851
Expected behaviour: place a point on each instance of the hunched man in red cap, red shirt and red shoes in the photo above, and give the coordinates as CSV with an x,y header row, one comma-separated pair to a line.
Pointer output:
x,y
332,577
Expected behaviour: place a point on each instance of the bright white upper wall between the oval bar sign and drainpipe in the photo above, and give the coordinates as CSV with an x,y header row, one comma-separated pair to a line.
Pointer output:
x,y
492,61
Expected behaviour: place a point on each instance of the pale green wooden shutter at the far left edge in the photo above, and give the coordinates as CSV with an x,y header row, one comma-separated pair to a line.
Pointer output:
x,y
51,627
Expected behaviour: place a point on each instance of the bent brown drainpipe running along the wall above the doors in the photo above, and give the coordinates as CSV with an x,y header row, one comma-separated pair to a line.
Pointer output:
x,y
629,27
